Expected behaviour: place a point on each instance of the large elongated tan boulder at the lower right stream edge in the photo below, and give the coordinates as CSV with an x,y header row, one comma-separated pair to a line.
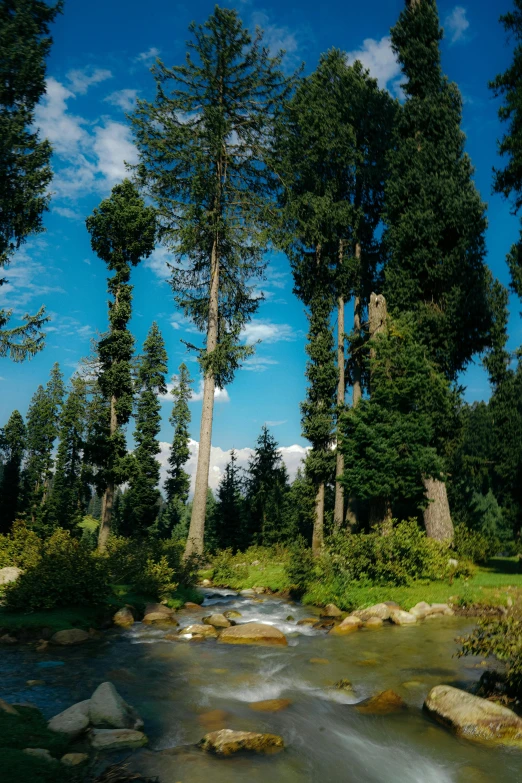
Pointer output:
x,y
472,717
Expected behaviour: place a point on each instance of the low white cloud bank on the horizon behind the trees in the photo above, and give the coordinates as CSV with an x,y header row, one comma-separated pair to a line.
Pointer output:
x,y
219,458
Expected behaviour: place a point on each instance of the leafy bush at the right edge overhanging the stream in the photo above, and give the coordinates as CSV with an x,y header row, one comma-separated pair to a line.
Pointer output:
x,y
501,638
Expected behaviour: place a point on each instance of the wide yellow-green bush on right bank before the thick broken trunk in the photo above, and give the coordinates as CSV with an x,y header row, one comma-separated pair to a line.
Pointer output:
x,y
398,559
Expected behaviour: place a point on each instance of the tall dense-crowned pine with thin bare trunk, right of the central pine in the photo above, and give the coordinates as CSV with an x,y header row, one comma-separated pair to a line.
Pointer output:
x,y
332,196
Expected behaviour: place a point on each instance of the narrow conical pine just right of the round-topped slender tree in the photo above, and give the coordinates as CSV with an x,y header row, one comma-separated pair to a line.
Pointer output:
x,y
143,496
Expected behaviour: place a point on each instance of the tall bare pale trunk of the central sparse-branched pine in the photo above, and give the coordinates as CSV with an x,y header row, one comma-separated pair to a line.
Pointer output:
x,y
196,535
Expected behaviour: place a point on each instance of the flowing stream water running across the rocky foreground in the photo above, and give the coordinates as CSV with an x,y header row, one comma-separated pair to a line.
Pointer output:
x,y
184,689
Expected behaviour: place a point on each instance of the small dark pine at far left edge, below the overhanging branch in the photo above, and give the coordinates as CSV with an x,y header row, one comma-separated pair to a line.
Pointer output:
x,y
12,450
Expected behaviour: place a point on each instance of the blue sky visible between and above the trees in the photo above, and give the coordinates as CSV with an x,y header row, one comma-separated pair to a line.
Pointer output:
x,y
99,63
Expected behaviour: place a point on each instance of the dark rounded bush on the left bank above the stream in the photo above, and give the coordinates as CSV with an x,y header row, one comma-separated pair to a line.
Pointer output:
x,y
67,574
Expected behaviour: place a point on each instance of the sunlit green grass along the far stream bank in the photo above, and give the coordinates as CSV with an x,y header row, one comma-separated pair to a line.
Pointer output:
x,y
492,585
